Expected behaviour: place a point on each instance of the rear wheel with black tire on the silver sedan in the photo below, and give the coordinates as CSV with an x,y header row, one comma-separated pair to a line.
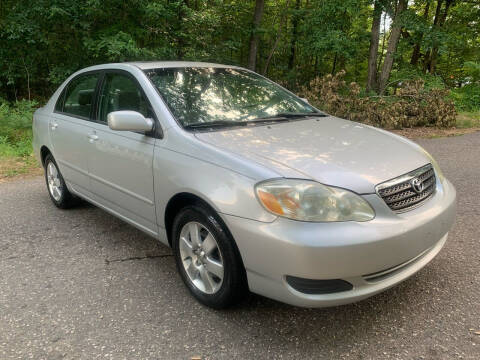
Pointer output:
x,y
58,191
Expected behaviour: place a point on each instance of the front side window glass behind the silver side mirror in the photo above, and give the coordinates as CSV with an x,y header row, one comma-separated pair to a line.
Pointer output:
x,y
121,92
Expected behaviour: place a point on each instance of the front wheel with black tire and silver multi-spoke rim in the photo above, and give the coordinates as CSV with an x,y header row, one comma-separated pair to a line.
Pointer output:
x,y
220,291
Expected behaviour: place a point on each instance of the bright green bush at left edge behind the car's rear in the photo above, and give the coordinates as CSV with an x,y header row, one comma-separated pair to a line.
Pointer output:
x,y
16,128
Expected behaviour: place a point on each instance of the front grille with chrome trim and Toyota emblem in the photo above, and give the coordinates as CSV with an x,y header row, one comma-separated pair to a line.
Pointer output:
x,y
408,191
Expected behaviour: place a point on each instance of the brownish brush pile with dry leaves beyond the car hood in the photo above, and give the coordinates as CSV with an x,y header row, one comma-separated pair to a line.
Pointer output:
x,y
411,106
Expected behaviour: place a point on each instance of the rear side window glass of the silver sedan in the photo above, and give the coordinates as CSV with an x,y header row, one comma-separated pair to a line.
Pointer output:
x,y
80,94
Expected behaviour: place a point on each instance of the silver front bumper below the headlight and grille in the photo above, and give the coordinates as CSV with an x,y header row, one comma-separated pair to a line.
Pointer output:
x,y
391,246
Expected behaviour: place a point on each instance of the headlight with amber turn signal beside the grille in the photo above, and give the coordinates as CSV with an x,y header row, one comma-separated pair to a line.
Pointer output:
x,y
311,201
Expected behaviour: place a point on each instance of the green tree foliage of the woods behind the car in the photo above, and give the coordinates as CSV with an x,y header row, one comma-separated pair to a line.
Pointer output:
x,y
44,41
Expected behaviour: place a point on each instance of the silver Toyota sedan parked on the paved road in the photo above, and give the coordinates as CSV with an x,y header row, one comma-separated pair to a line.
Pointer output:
x,y
252,187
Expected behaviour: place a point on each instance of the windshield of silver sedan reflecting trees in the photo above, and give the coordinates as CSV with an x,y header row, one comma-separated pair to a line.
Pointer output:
x,y
210,95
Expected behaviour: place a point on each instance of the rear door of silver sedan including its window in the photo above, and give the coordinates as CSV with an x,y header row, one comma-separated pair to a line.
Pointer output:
x,y
69,127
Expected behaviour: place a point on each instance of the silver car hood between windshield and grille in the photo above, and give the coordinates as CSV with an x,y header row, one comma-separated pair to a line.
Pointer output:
x,y
330,150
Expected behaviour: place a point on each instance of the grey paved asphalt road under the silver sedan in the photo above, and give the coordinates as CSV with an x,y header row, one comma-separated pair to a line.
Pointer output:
x,y
82,284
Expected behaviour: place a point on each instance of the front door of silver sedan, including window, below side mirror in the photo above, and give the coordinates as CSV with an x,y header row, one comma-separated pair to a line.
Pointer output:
x,y
121,162
